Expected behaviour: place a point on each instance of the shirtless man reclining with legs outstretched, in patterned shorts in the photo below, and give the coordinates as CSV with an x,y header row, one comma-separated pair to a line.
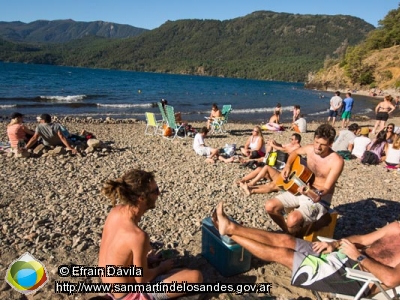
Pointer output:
x,y
376,252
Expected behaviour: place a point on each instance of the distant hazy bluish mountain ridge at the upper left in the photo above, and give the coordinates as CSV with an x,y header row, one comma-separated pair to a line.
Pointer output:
x,y
61,31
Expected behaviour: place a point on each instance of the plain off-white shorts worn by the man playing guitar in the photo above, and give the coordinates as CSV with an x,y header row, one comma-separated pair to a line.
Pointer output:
x,y
310,211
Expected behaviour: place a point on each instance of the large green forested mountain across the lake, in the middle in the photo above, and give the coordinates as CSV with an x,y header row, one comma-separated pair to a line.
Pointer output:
x,y
261,45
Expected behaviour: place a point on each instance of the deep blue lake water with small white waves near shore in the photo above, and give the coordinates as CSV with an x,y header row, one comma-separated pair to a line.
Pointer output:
x,y
36,89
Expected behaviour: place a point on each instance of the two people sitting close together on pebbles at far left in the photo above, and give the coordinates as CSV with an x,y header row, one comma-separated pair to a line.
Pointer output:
x,y
48,133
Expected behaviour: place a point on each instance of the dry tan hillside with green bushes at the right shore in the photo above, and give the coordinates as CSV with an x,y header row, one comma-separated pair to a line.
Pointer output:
x,y
375,62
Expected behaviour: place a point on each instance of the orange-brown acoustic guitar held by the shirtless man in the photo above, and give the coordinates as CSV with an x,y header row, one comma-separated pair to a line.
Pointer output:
x,y
299,176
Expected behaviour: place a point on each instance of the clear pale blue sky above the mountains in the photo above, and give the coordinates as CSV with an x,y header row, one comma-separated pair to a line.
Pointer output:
x,y
150,14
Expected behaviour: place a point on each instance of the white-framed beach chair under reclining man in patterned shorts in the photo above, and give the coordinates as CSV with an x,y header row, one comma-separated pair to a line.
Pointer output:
x,y
365,277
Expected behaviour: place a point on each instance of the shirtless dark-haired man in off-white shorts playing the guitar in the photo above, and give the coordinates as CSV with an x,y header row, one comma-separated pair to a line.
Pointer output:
x,y
313,201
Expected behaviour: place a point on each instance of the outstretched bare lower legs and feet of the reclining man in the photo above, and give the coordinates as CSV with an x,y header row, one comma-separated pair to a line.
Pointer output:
x,y
265,245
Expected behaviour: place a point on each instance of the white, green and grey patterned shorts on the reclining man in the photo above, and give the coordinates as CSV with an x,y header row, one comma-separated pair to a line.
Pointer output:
x,y
323,272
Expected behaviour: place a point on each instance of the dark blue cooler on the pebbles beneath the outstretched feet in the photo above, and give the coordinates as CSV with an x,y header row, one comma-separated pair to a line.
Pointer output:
x,y
228,257
